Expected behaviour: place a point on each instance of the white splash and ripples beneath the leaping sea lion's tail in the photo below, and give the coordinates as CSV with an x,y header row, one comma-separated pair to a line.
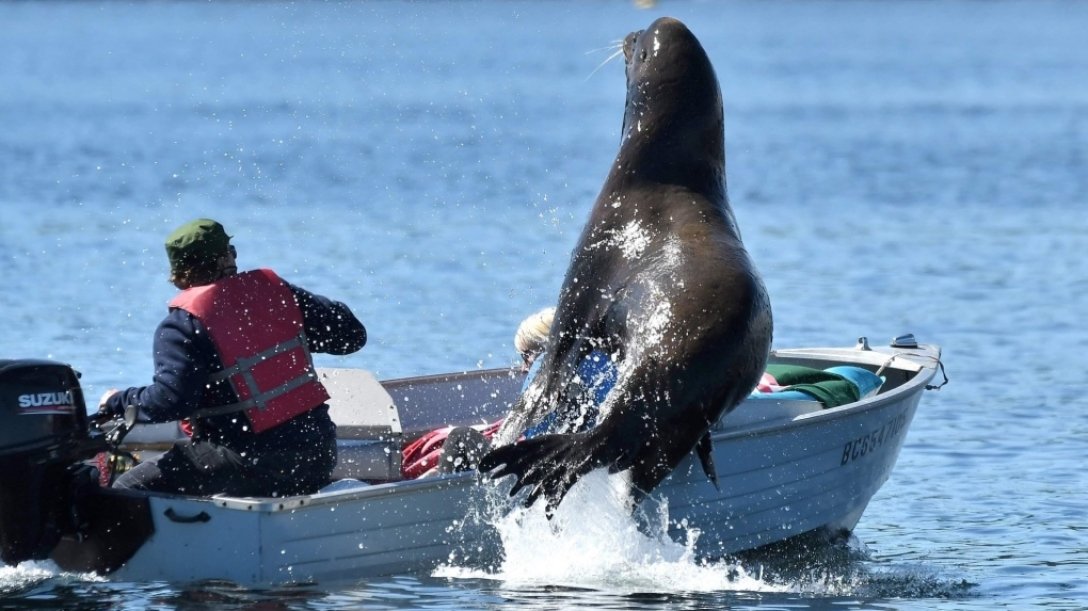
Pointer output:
x,y
595,543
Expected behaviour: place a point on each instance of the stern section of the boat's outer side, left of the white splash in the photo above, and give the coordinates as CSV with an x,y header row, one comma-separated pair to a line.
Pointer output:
x,y
376,531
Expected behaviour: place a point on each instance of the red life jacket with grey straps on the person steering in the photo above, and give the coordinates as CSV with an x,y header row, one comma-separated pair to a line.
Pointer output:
x,y
257,329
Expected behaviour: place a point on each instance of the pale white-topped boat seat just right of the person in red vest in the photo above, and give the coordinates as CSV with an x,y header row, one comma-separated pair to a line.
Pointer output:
x,y
368,426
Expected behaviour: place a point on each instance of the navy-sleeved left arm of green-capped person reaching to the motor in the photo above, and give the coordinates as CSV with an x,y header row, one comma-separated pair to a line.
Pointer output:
x,y
183,355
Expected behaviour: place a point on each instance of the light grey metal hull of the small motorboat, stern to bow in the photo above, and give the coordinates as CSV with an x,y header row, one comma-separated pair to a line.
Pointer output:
x,y
786,469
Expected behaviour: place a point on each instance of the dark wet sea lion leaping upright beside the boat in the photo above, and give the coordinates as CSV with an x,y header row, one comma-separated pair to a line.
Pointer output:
x,y
660,280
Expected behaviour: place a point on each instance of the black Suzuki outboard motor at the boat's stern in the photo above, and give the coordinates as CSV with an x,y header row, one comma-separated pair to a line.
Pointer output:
x,y
44,438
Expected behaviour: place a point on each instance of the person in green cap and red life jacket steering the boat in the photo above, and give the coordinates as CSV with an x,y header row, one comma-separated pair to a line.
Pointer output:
x,y
232,358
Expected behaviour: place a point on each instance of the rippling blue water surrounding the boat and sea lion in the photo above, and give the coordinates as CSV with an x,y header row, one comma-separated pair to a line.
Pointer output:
x,y
895,167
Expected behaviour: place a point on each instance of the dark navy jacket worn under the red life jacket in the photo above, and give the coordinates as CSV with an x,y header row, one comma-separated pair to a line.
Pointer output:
x,y
186,357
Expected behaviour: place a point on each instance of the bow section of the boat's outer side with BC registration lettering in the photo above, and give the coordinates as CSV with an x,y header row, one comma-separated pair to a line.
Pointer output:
x,y
819,473
